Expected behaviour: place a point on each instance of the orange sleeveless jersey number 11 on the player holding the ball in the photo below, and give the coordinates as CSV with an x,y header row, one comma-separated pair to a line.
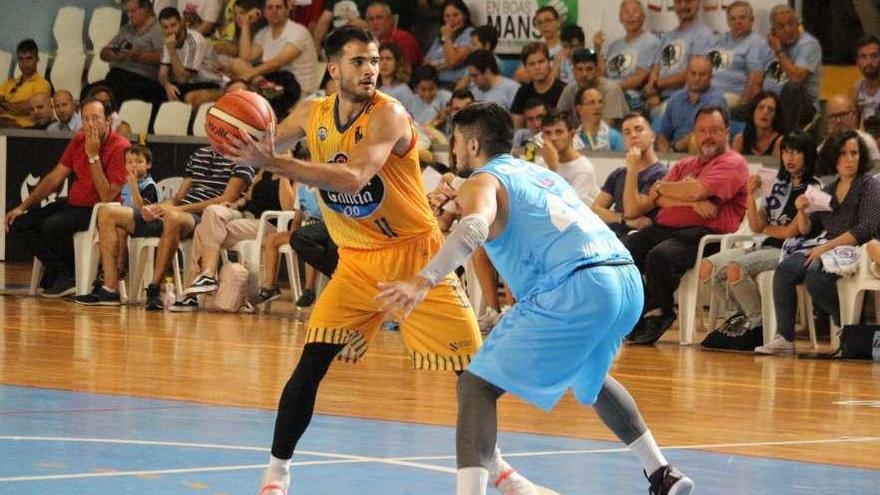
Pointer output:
x,y
392,208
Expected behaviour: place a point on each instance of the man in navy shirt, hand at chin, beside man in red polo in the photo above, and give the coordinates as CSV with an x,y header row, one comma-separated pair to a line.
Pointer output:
x,y
623,202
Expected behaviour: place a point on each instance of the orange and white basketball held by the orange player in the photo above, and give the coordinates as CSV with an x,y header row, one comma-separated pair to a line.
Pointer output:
x,y
234,110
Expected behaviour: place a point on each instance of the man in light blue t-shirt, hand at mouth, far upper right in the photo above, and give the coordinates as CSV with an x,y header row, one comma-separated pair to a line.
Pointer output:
x,y
794,66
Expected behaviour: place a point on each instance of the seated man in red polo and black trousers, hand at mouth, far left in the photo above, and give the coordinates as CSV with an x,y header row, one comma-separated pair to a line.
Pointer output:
x,y
96,156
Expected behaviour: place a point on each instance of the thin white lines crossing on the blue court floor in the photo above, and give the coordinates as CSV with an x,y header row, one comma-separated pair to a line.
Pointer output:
x,y
355,459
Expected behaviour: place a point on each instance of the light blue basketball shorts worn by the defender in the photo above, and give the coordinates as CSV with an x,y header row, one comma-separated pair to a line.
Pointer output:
x,y
564,337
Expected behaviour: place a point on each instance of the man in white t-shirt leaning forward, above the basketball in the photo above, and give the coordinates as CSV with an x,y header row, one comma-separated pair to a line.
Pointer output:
x,y
283,48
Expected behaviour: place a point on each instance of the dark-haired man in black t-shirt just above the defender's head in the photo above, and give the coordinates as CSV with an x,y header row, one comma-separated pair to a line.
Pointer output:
x,y
544,84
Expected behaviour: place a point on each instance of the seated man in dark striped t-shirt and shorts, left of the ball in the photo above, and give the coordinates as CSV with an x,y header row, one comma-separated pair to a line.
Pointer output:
x,y
209,178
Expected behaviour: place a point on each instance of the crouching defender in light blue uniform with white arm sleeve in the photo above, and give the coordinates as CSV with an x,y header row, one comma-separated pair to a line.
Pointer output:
x,y
578,294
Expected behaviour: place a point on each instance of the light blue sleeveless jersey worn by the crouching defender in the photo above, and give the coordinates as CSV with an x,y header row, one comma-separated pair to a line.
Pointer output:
x,y
550,232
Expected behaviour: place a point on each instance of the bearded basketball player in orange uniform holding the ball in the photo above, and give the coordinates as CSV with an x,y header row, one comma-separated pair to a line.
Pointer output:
x,y
366,166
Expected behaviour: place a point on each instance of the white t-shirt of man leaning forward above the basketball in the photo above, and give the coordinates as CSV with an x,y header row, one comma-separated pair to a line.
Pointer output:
x,y
305,65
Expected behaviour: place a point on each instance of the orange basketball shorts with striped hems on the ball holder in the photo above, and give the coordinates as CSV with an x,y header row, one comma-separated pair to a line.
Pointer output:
x,y
441,333
